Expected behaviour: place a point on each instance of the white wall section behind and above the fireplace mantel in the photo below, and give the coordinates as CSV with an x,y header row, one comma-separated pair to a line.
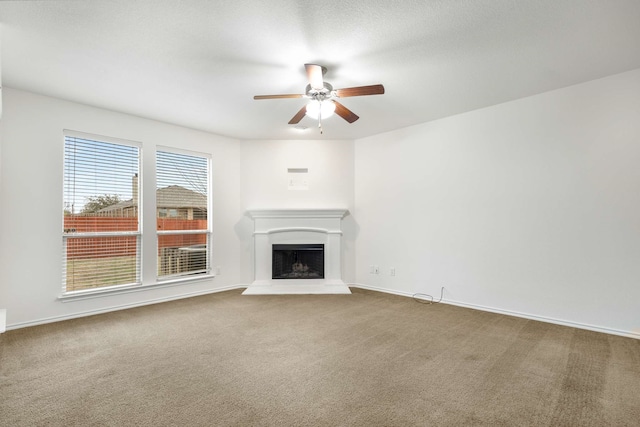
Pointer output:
x,y
330,185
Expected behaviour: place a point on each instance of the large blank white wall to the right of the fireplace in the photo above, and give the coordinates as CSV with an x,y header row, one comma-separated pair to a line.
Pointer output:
x,y
530,207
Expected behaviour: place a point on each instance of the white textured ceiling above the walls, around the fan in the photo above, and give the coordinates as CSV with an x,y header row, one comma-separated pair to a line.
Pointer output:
x,y
198,63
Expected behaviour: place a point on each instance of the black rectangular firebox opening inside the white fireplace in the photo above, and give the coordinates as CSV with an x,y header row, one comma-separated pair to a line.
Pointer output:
x,y
302,261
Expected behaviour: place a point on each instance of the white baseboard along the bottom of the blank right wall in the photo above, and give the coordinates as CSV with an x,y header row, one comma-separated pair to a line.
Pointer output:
x,y
629,334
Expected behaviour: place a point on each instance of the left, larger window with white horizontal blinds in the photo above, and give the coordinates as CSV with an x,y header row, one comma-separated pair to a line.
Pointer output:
x,y
101,232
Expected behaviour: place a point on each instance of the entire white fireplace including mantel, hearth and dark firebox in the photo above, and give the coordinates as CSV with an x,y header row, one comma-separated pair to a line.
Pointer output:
x,y
292,229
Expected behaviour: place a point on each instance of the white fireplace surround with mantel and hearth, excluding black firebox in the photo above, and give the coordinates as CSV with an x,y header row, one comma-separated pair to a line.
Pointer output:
x,y
297,226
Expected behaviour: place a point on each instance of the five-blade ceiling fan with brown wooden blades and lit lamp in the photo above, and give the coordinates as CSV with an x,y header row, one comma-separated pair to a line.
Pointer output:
x,y
323,97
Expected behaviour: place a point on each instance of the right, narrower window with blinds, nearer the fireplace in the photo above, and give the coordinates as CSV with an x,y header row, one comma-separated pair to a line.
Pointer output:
x,y
182,205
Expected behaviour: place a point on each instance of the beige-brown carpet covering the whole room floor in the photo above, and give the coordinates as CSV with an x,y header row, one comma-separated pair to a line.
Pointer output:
x,y
367,359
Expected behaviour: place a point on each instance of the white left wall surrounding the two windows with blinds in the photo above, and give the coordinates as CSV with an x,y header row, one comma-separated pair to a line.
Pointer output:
x,y
31,203
